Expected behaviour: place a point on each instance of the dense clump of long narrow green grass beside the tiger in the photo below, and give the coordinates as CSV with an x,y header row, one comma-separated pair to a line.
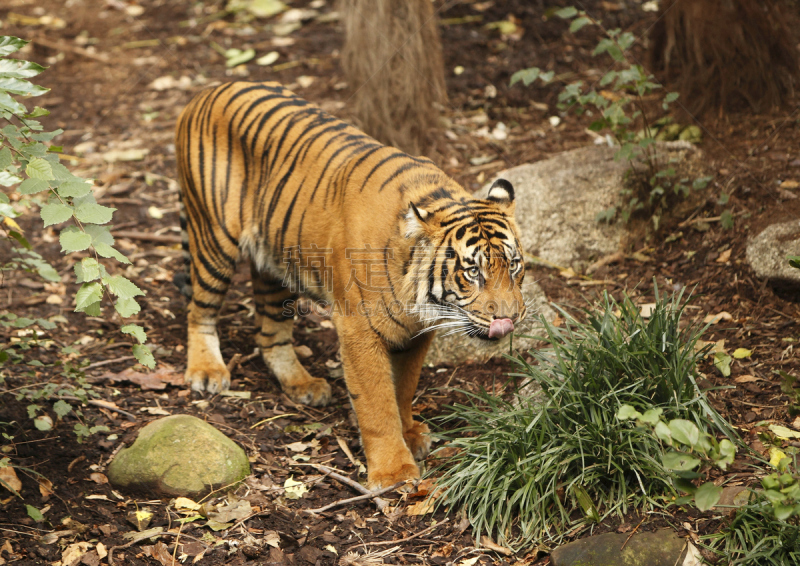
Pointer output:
x,y
537,469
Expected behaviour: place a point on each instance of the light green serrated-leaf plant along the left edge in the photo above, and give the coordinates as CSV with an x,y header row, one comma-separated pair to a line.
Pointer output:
x,y
32,177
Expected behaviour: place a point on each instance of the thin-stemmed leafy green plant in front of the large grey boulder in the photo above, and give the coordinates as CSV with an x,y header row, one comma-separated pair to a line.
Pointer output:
x,y
618,102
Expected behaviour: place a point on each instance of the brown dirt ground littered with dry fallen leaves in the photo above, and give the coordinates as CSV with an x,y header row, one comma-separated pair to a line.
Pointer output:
x,y
120,71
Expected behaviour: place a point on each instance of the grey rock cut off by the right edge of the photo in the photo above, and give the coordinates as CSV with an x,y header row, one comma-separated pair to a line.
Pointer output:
x,y
766,253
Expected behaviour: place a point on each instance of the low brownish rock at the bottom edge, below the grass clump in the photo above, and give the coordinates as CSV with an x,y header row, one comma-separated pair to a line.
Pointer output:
x,y
660,548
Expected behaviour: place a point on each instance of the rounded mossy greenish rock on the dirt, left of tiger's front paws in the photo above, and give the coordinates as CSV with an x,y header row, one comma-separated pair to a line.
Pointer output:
x,y
176,456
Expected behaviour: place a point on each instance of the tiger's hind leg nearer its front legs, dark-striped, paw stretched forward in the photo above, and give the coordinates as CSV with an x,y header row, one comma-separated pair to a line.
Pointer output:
x,y
274,321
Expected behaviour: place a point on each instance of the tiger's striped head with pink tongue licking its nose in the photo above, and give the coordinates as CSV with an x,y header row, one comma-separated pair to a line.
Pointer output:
x,y
466,264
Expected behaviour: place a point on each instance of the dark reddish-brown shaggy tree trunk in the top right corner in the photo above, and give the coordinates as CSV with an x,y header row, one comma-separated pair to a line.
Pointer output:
x,y
724,54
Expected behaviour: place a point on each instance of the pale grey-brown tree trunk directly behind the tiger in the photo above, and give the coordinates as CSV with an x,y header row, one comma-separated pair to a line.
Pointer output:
x,y
392,59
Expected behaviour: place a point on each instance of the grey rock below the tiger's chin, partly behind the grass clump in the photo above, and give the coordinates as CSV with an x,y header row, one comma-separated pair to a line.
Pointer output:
x,y
457,349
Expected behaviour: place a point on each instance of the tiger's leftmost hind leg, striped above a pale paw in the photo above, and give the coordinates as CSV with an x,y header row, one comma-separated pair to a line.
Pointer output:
x,y
211,277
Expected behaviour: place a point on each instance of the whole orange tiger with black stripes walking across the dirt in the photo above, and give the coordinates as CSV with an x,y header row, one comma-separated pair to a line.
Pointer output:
x,y
393,246
